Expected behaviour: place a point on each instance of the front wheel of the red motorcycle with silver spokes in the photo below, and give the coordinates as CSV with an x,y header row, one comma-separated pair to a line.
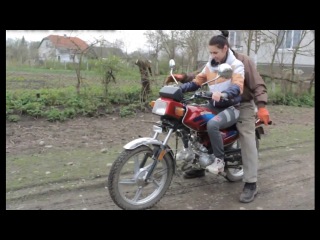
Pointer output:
x,y
125,184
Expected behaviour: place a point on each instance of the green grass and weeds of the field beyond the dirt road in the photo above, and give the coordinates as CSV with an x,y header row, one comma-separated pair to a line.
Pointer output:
x,y
59,99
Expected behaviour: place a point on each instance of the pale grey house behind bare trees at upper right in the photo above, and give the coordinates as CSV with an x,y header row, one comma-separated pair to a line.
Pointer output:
x,y
266,42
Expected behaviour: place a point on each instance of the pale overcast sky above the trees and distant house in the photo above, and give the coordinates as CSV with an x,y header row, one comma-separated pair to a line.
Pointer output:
x,y
133,39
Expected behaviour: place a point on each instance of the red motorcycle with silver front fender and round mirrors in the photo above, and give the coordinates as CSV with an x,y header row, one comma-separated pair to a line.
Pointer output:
x,y
143,172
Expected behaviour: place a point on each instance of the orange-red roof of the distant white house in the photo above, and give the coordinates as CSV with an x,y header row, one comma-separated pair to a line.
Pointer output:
x,y
67,42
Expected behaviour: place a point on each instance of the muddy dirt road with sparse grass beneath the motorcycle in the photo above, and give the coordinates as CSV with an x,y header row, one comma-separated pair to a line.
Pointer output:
x,y
286,165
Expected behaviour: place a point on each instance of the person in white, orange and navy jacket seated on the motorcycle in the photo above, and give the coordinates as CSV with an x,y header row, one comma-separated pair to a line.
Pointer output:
x,y
226,96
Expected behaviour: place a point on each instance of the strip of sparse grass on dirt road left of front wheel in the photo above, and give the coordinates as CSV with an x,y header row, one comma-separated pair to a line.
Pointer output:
x,y
32,170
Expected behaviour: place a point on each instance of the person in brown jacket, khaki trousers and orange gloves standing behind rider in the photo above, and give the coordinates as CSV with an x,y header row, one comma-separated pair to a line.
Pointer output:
x,y
254,91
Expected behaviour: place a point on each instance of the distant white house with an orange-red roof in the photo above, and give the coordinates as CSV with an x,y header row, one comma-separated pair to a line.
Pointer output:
x,y
62,48
